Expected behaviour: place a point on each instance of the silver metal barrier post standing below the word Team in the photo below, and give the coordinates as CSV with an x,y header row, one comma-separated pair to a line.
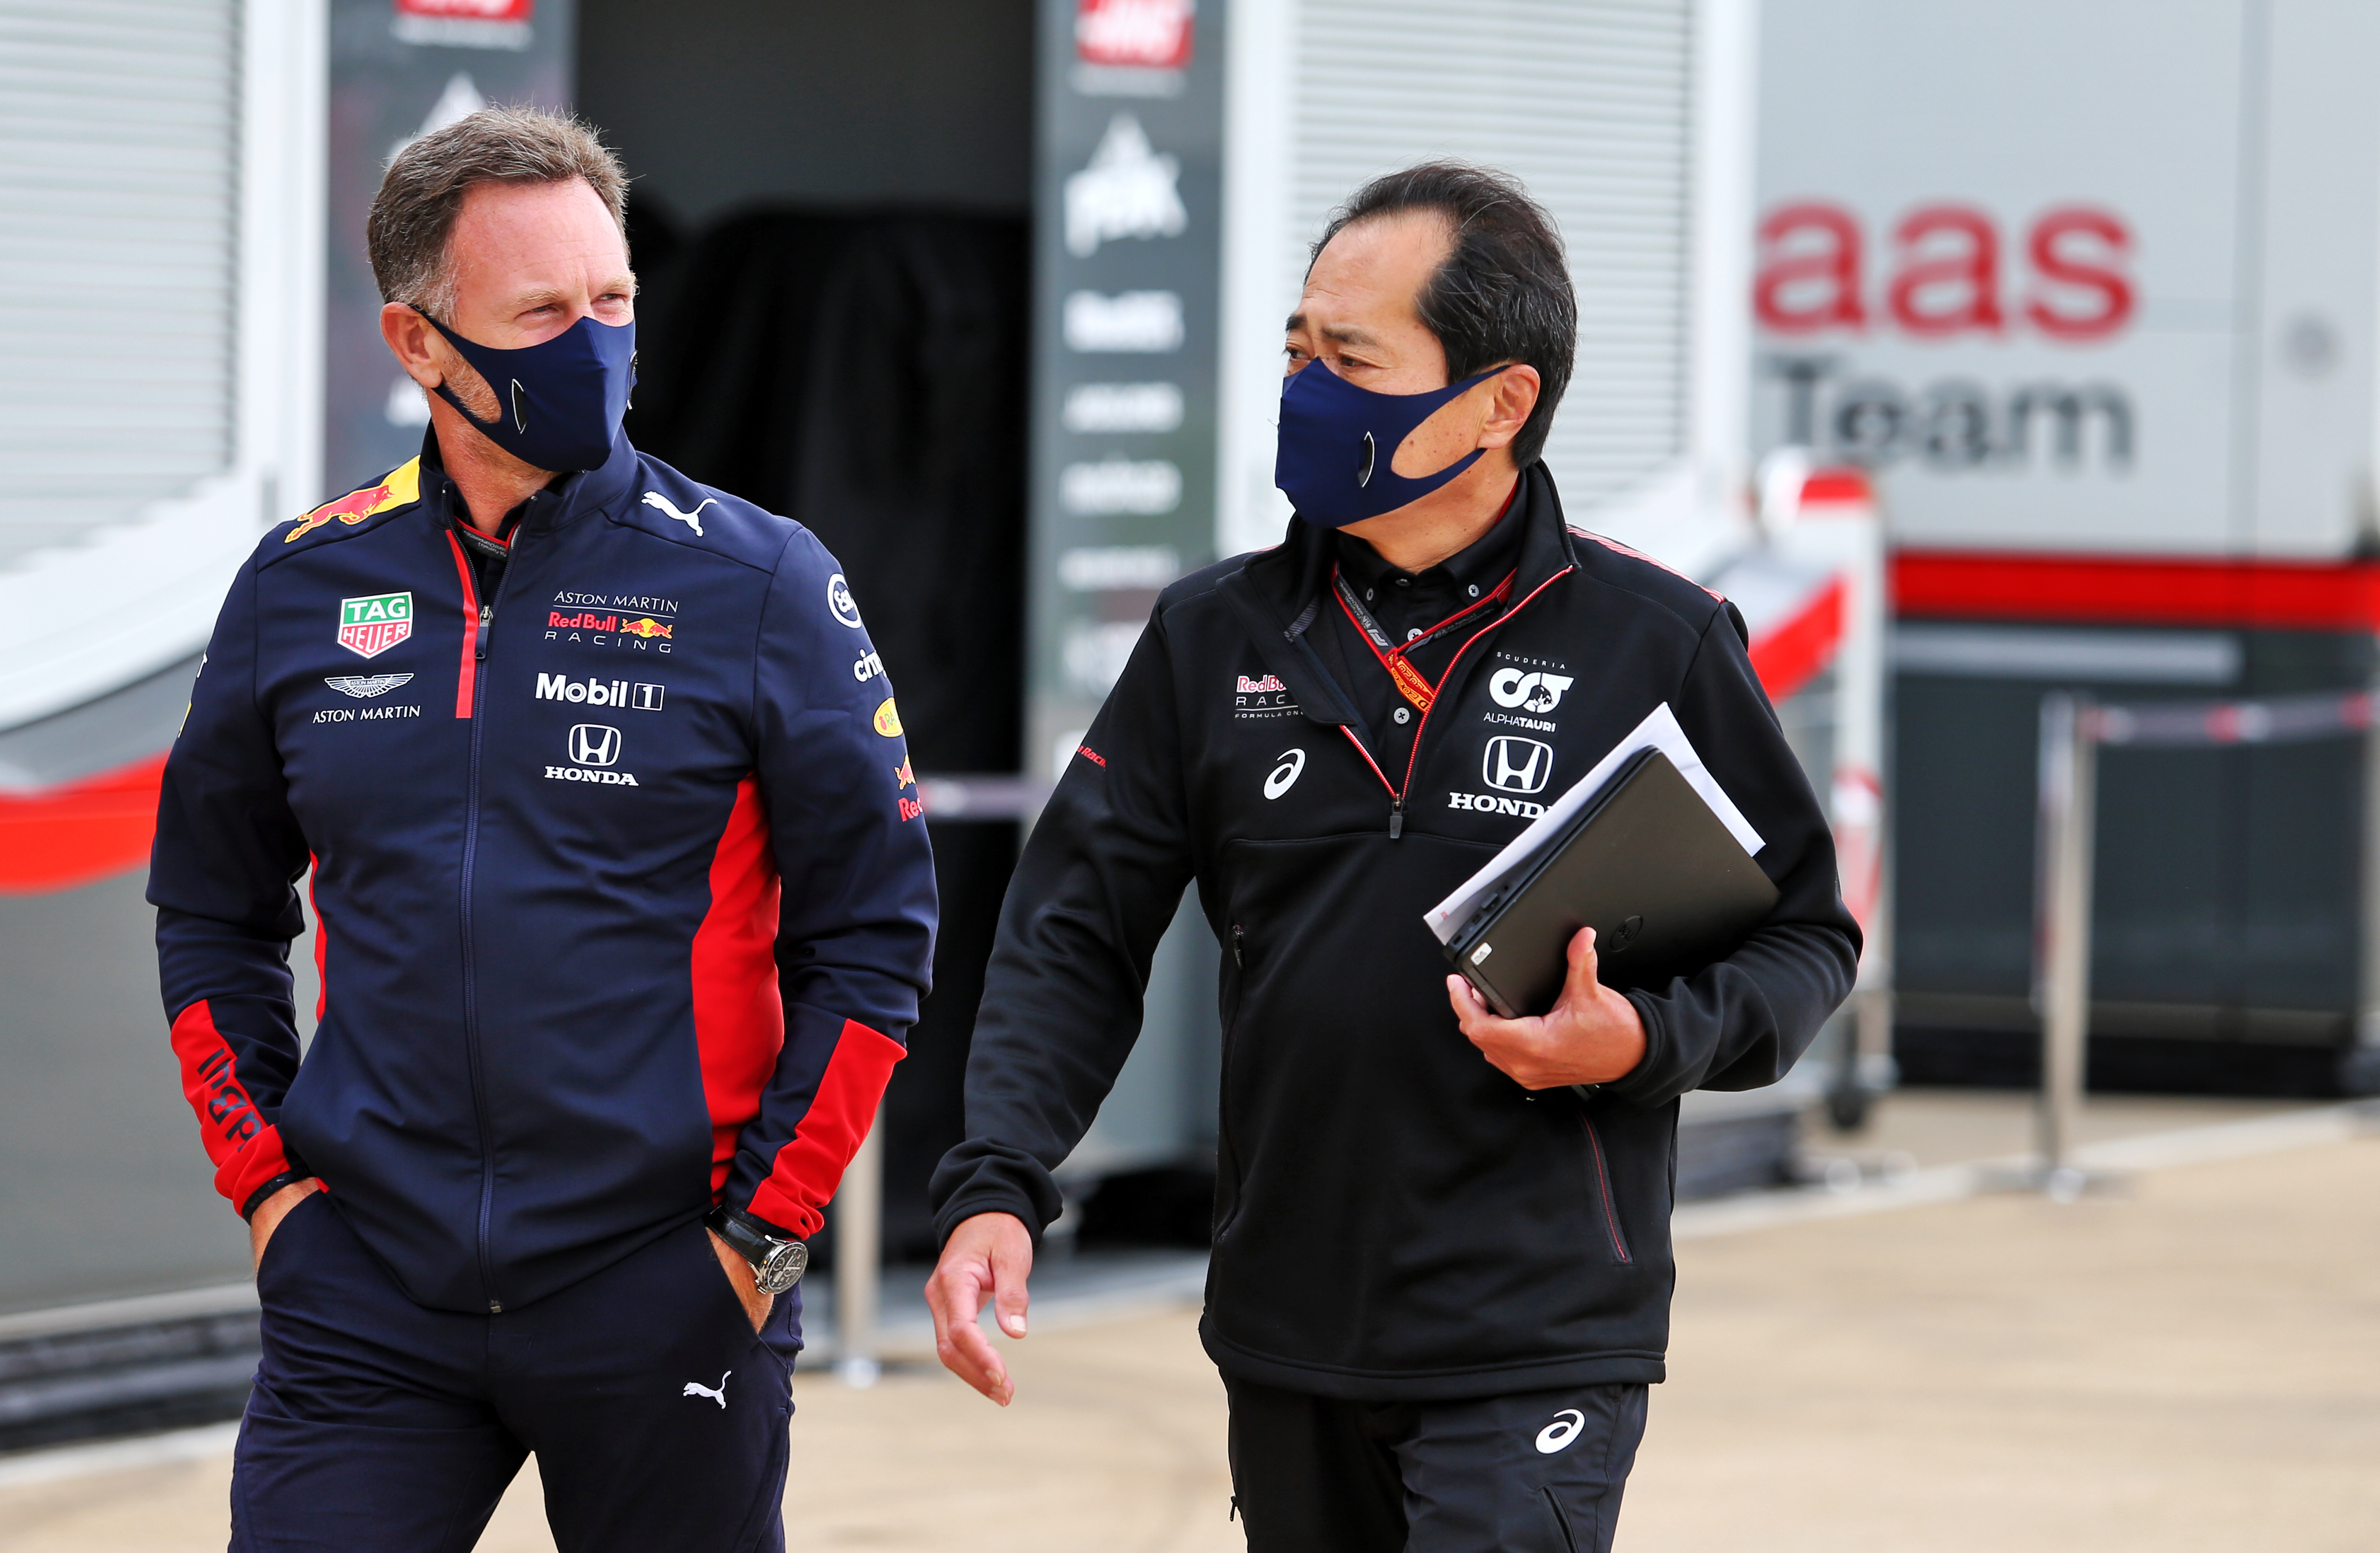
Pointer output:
x,y
2069,784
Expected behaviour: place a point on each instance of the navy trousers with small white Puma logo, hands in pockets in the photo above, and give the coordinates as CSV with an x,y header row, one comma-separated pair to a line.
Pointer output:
x,y
377,1426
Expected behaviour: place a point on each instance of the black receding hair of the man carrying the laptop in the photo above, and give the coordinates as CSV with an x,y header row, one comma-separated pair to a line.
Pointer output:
x,y
1505,289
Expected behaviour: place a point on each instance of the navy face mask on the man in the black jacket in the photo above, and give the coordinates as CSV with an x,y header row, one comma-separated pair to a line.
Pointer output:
x,y
1336,444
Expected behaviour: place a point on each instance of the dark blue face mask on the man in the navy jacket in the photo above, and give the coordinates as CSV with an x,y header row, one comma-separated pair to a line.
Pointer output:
x,y
560,403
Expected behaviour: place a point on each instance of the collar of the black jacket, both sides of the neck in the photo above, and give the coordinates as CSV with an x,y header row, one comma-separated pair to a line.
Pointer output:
x,y
1279,593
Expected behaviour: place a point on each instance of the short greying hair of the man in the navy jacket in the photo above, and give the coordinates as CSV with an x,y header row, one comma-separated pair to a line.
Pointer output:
x,y
425,187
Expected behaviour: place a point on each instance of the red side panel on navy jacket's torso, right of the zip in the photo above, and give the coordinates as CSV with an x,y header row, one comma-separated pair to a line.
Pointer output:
x,y
739,1010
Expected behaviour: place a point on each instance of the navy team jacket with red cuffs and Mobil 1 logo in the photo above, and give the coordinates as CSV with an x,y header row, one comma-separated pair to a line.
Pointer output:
x,y
622,876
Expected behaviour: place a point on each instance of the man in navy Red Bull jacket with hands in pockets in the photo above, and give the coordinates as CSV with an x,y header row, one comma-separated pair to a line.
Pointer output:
x,y
625,914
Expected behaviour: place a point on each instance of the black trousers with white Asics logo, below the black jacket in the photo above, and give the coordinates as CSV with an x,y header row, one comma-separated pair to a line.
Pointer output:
x,y
1524,1473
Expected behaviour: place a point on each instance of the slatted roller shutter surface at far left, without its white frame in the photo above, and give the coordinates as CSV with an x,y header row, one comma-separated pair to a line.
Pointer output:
x,y
120,151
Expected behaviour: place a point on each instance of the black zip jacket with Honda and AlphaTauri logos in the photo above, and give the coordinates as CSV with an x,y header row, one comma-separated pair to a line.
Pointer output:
x,y
1393,1216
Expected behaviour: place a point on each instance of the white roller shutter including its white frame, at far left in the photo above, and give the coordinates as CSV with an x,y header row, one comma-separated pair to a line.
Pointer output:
x,y
161,325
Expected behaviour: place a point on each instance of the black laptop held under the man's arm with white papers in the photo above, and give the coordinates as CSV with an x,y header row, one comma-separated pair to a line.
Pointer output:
x,y
1646,864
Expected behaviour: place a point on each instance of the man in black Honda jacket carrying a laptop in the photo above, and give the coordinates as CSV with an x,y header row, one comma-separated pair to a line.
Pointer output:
x,y
1441,1274
